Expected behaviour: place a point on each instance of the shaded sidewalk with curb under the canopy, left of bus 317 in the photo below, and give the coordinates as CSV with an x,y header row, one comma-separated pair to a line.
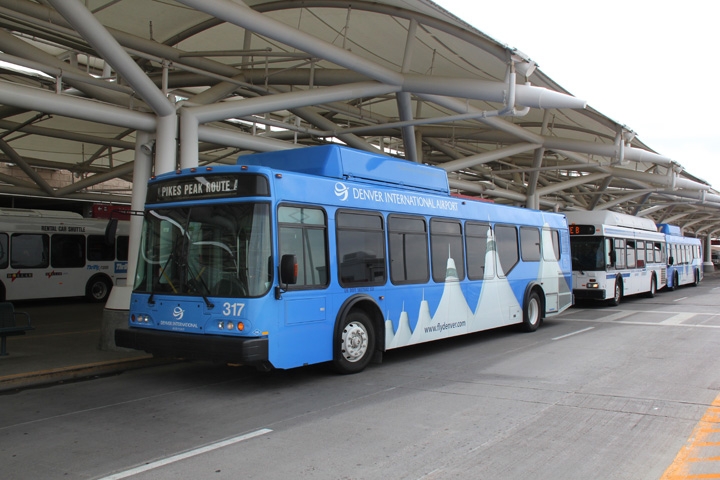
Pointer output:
x,y
63,346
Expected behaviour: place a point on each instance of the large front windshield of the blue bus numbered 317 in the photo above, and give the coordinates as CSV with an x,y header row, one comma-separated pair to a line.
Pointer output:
x,y
208,250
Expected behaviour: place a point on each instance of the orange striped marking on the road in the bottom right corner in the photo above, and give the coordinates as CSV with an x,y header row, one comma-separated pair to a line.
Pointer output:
x,y
695,459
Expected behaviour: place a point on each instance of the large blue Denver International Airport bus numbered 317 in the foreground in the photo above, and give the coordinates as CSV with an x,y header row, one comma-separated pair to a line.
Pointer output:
x,y
329,254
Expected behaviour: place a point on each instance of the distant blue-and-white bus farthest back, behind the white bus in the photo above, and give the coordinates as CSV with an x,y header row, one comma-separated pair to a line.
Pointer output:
x,y
684,257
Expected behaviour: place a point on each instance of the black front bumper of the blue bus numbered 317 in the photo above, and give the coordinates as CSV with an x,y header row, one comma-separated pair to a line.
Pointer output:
x,y
214,348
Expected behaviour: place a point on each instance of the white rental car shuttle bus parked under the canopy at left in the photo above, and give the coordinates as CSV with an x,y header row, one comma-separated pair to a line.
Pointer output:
x,y
47,254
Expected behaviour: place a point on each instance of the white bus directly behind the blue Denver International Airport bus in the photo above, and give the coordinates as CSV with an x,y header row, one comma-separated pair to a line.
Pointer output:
x,y
615,255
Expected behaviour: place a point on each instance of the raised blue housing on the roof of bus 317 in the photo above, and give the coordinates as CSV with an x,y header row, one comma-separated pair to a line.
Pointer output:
x,y
336,161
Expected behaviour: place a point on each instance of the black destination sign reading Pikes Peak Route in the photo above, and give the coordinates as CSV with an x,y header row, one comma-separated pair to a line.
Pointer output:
x,y
208,186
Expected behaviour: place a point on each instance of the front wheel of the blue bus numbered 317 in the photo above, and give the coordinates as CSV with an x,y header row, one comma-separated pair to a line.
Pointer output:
x,y
354,343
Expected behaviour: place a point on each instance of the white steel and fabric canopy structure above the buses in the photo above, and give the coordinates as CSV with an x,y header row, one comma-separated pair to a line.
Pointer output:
x,y
124,89
